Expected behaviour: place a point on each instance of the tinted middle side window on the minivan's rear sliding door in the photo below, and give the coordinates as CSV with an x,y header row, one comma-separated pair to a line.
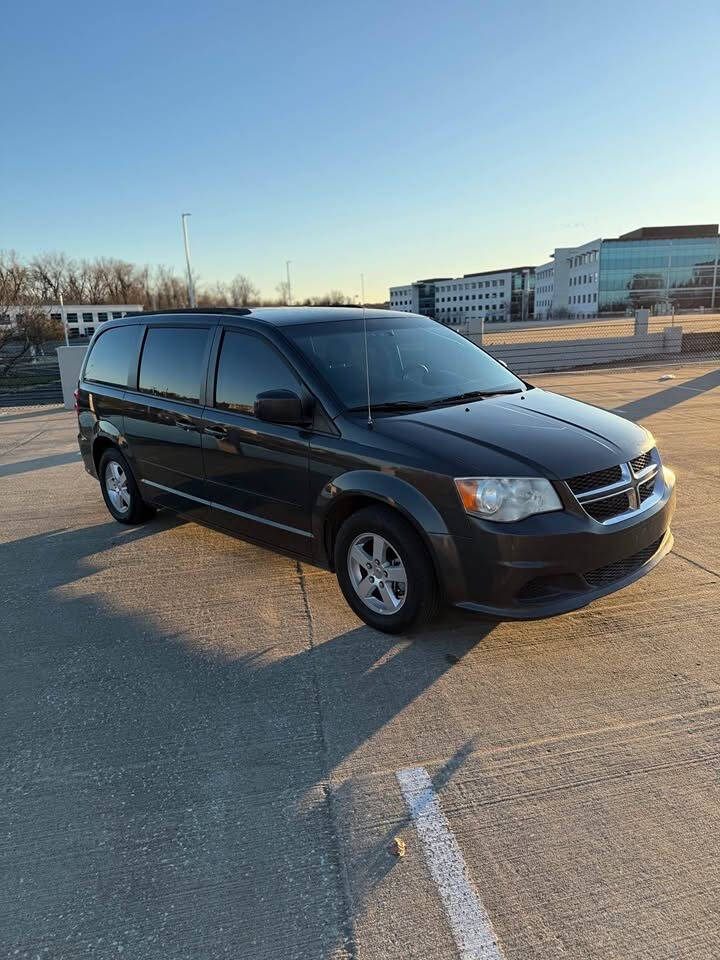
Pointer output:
x,y
173,362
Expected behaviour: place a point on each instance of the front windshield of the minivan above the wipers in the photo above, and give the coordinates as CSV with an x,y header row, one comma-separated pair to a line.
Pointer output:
x,y
412,360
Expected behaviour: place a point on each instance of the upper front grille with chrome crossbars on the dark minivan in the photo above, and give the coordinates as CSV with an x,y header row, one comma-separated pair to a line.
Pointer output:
x,y
615,492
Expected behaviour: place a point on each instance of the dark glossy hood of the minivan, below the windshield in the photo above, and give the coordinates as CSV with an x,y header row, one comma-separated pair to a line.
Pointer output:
x,y
539,431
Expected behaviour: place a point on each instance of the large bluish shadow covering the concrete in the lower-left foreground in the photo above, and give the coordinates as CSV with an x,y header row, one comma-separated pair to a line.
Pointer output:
x,y
168,798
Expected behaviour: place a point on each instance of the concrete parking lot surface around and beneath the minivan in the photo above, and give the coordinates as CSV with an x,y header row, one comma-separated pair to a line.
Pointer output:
x,y
204,754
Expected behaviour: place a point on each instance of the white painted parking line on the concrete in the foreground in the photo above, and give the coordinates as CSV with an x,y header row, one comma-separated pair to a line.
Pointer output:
x,y
469,921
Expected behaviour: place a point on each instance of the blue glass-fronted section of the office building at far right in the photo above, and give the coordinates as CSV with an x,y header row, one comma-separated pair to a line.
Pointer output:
x,y
652,269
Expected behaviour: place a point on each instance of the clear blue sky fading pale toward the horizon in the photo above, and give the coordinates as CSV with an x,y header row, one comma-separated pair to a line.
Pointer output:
x,y
401,139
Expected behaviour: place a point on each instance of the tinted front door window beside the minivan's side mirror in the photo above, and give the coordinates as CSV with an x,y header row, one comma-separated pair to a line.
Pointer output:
x,y
248,365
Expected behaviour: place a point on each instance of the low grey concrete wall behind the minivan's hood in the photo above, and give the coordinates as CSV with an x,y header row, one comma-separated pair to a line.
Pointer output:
x,y
541,356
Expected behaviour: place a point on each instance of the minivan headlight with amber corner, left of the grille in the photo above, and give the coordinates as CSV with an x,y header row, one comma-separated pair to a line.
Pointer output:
x,y
505,499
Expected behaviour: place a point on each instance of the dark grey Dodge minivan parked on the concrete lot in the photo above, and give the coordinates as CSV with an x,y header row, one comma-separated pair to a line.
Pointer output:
x,y
460,484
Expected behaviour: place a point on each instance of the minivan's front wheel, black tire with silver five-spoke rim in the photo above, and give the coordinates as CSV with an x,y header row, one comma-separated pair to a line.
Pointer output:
x,y
389,604
